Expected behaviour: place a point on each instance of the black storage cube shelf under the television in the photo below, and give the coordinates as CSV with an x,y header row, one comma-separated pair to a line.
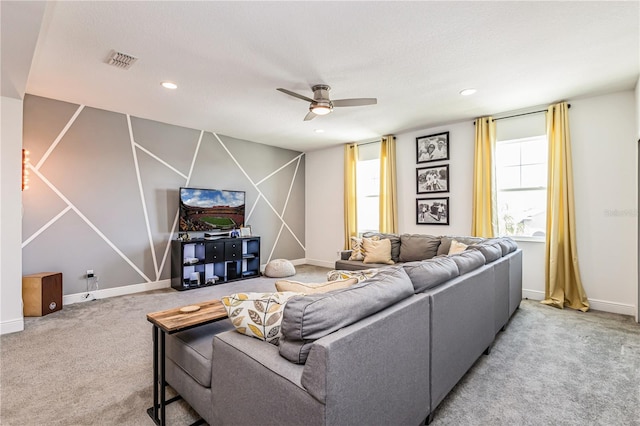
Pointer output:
x,y
202,262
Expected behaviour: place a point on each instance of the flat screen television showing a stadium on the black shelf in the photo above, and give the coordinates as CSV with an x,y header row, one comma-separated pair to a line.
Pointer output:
x,y
210,210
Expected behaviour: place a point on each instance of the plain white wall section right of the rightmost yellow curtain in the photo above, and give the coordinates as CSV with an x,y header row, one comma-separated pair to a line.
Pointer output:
x,y
604,164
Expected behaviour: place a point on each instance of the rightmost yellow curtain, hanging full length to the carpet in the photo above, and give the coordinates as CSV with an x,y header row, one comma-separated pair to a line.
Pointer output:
x,y
563,286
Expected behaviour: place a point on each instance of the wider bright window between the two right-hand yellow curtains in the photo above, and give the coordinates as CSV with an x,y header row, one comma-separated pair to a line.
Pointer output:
x,y
521,182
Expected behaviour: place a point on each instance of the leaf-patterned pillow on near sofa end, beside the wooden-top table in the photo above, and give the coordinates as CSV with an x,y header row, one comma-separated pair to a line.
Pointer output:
x,y
258,314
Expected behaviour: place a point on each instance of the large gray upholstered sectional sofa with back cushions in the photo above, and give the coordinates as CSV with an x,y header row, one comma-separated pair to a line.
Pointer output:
x,y
384,351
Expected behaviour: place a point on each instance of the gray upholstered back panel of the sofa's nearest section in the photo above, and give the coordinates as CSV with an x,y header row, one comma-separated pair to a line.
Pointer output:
x,y
375,371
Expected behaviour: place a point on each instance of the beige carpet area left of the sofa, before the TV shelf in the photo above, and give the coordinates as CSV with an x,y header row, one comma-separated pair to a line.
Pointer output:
x,y
91,363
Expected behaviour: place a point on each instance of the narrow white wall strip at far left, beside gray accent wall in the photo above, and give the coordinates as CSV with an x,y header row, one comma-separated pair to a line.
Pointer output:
x,y
11,318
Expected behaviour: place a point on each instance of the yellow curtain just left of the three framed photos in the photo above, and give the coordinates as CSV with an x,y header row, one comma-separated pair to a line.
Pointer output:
x,y
388,192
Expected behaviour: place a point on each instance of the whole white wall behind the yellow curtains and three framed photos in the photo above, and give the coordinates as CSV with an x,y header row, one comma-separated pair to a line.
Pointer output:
x,y
603,131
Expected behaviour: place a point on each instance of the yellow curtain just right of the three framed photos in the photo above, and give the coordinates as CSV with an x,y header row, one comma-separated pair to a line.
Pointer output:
x,y
484,207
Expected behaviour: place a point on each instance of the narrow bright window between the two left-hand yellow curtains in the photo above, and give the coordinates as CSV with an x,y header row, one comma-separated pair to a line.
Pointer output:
x,y
368,187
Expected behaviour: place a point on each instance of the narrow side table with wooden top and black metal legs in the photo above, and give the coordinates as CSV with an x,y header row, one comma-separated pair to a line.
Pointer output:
x,y
169,322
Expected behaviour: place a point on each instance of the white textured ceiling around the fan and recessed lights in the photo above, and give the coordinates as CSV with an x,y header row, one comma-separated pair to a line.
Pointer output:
x,y
229,57
